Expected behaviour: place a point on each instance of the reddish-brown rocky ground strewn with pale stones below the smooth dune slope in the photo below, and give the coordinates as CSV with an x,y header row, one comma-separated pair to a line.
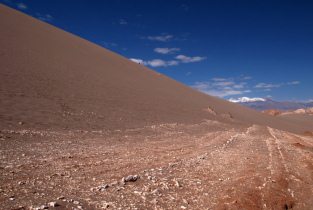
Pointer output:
x,y
173,166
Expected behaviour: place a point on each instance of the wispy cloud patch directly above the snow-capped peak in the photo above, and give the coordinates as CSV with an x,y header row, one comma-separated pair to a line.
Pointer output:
x,y
222,87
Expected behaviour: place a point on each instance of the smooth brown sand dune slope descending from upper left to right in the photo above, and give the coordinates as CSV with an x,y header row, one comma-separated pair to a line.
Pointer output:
x,y
53,79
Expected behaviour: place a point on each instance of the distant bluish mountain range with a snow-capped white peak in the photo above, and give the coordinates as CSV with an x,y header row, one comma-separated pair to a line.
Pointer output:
x,y
266,104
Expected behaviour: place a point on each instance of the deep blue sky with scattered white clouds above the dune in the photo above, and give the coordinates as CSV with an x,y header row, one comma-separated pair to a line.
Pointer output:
x,y
230,49
